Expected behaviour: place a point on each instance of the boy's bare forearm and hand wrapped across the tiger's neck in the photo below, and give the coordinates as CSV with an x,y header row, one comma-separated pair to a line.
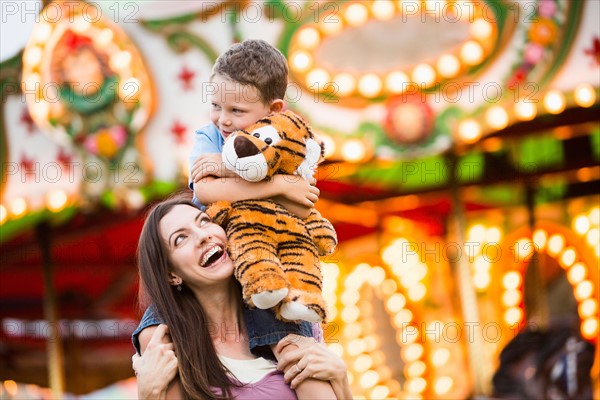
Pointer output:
x,y
290,188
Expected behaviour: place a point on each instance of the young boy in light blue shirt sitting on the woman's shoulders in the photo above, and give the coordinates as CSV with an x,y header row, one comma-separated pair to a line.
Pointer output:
x,y
249,82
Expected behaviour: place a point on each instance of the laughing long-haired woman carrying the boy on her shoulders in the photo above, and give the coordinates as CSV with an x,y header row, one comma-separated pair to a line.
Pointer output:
x,y
186,273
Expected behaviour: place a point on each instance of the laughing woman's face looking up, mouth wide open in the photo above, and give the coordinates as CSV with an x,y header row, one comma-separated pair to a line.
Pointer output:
x,y
196,247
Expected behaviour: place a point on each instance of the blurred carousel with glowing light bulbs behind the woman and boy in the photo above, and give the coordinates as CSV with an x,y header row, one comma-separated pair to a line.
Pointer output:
x,y
462,177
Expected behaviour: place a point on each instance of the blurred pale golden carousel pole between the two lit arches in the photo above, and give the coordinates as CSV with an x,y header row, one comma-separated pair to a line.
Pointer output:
x,y
467,295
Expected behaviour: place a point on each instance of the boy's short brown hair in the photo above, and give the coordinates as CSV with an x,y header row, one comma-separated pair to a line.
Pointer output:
x,y
255,63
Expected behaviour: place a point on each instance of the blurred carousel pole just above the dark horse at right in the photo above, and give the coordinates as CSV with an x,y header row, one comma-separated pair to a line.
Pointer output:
x,y
535,299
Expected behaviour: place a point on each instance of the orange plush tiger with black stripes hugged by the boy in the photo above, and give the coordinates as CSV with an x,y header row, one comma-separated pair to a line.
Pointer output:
x,y
276,254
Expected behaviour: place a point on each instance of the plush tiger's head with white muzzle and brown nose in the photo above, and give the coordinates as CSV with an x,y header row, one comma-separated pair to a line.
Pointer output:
x,y
280,143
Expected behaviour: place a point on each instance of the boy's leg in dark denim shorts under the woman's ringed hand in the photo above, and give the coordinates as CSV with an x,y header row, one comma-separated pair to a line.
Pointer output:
x,y
265,331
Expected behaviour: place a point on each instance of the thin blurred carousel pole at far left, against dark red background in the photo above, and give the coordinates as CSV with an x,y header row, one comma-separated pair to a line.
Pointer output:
x,y
56,378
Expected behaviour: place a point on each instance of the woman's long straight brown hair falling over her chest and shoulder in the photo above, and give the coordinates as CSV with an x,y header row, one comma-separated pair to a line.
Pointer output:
x,y
200,370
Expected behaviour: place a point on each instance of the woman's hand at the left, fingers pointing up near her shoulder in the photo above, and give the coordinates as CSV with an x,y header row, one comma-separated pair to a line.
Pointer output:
x,y
156,367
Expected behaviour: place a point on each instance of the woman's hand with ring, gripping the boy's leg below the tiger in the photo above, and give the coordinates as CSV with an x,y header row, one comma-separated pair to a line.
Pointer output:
x,y
312,360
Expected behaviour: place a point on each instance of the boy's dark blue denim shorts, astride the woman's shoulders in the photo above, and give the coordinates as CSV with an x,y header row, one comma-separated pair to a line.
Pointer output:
x,y
263,329
